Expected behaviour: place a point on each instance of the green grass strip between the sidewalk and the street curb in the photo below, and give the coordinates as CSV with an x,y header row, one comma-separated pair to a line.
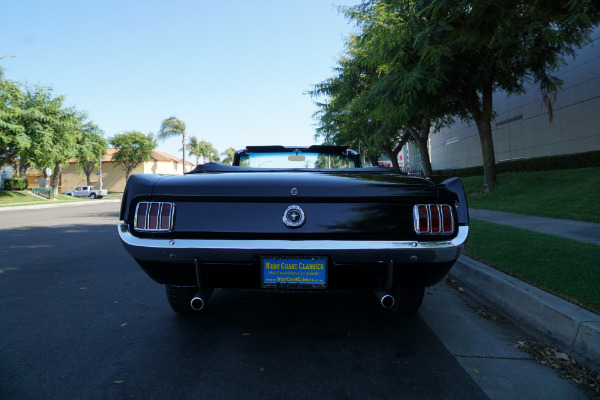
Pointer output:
x,y
564,267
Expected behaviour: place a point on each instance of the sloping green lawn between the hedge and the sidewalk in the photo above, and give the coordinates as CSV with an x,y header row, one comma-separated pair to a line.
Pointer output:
x,y
565,194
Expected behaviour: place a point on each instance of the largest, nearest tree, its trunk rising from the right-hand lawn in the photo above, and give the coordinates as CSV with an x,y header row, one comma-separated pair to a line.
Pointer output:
x,y
467,49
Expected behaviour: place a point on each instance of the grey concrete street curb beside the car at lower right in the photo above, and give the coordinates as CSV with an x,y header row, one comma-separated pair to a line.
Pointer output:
x,y
570,328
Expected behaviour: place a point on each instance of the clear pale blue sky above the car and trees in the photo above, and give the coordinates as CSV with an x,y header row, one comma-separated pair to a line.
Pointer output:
x,y
234,71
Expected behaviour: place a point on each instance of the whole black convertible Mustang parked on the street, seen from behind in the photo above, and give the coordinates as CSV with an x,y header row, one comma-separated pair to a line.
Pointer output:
x,y
307,219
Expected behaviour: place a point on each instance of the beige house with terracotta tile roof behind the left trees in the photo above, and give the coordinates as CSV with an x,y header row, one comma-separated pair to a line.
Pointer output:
x,y
113,176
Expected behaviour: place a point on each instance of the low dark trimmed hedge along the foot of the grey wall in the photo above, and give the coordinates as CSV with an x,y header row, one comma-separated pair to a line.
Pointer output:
x,y
566,161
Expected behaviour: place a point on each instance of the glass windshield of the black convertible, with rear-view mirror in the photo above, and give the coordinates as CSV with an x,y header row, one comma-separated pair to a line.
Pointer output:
x,y
296,160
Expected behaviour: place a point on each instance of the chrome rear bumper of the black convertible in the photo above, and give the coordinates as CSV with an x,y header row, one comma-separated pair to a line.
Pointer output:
x,y
157,249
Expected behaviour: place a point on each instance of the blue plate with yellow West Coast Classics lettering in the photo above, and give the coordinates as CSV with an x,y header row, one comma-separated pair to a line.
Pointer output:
x,y
294,272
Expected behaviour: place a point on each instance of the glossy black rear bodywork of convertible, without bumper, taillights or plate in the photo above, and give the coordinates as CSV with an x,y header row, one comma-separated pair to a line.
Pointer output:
x,y
371,204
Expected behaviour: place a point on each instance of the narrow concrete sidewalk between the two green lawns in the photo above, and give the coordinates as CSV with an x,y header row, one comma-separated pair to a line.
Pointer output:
x,y
582,231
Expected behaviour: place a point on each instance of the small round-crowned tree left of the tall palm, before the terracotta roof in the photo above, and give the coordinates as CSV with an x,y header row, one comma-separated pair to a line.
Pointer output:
x,y
133,148
